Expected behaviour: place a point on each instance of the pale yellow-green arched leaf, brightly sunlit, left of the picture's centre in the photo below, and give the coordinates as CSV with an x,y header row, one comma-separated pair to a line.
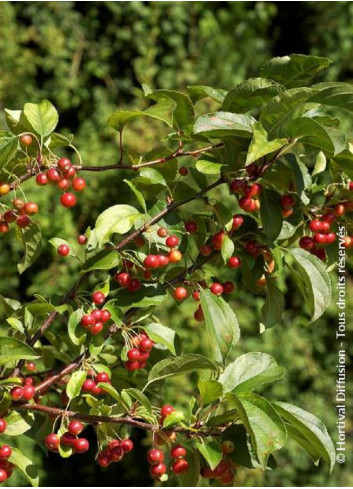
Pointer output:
x,y
117,219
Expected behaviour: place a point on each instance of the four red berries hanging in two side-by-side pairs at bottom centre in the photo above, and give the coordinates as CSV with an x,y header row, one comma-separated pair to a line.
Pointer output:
x,y
155,458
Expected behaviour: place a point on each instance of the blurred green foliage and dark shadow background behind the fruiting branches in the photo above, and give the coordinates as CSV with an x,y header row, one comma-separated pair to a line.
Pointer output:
x,y
89,58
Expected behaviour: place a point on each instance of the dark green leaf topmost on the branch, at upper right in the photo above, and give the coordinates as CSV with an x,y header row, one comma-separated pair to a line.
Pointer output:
x,y
295,70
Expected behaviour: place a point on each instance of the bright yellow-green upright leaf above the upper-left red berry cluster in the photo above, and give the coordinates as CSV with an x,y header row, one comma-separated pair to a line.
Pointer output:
x,y
42,117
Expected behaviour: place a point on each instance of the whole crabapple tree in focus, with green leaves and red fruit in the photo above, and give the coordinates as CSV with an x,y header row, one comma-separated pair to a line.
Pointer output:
x,y
248,195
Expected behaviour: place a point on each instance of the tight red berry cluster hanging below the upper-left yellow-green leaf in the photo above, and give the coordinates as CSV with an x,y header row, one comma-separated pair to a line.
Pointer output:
x,y
63,174
